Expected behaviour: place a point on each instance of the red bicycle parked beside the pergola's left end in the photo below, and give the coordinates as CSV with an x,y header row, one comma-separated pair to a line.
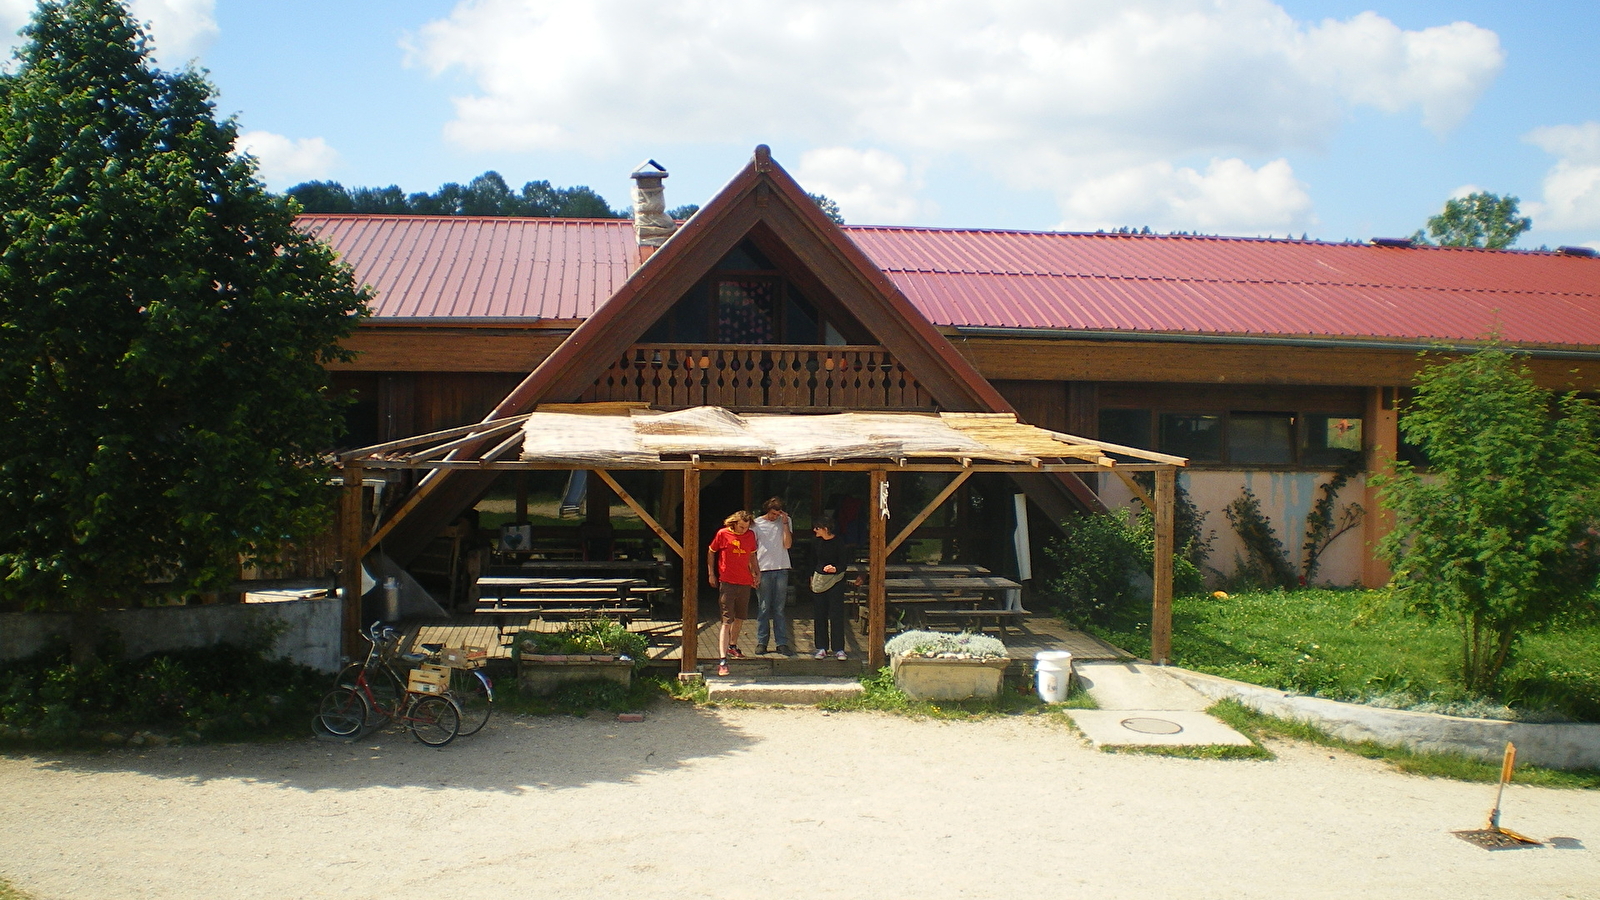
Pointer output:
x,y
362,704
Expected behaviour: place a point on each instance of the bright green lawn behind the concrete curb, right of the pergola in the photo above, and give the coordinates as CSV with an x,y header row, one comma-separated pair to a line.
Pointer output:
x,y
1358,646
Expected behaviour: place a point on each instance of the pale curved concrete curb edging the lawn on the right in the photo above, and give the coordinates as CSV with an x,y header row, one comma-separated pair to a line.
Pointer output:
x,y
1554,747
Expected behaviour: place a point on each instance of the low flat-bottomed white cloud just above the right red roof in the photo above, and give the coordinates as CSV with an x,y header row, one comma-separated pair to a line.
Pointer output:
x,y
1228,198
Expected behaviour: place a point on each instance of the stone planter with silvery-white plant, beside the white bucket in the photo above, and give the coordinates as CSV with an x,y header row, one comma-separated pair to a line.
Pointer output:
x,y
932,665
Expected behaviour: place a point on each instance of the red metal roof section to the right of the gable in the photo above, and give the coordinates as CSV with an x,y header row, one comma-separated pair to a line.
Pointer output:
x,y
1238,286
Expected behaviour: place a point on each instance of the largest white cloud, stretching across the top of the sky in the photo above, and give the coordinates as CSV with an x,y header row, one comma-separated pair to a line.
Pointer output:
x,y
1044,94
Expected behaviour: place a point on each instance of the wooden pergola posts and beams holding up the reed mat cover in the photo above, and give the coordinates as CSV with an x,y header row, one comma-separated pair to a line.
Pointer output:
x,y
431,452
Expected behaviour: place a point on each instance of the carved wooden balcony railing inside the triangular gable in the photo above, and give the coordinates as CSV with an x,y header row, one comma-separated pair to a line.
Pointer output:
x,y
748,377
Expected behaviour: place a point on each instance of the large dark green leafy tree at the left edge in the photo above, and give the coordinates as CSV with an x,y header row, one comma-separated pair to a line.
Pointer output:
x,y
164,329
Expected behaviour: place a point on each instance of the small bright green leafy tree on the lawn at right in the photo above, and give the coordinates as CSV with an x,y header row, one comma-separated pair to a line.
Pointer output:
x,y
1502,534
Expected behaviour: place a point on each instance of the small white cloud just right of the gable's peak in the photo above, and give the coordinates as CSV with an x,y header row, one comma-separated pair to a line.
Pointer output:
x,y
870,187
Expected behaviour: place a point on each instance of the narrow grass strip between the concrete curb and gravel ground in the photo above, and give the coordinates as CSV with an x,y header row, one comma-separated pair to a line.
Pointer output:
x,y
1257,728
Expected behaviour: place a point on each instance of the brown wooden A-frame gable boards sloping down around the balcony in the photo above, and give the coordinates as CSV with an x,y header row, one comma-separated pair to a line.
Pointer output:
x,y
766,207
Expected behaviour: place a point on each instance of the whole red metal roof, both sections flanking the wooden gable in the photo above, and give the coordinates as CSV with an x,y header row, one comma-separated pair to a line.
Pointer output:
x,y
431,268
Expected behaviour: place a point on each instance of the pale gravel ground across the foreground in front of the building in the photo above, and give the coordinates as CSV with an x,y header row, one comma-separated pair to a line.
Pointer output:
x,y
766,803
